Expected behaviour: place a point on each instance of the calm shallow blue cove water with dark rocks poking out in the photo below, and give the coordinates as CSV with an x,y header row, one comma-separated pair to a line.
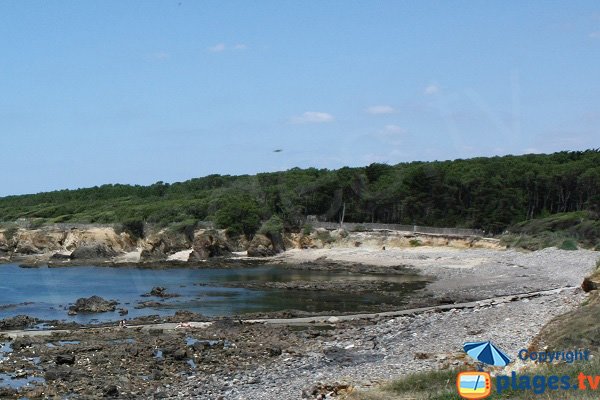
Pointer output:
x,y
46,293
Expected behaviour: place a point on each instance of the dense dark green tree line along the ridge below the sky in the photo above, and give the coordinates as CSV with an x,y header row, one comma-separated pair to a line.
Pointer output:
x,y
489,193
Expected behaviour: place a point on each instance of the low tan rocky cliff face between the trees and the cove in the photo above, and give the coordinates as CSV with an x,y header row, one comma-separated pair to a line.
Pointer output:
x,y
103,244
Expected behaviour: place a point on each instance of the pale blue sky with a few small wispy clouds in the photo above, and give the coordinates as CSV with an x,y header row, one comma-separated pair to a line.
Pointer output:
x,y
95,92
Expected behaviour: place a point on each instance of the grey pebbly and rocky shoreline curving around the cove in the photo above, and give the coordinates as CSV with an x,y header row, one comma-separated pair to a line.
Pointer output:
x,y
281,359
